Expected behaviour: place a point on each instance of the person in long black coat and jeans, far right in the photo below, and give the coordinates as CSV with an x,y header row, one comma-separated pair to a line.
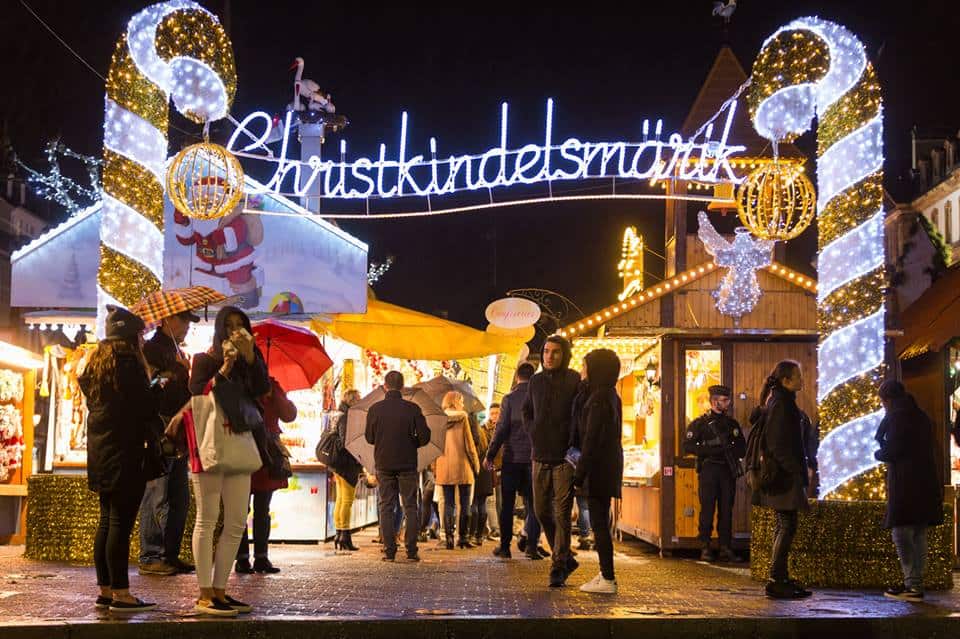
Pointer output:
x,y
914,489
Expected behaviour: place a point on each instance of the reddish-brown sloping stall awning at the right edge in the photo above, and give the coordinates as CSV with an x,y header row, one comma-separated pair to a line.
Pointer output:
x,y
933,319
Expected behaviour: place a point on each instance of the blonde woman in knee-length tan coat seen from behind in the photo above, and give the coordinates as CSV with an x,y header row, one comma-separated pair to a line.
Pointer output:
x,y
456,469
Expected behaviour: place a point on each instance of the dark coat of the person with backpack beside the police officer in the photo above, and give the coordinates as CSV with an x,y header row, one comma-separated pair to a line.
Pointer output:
x,y
785,445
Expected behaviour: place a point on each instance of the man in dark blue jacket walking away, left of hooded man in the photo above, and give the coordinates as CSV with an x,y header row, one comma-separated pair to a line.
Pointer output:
x,y
516,472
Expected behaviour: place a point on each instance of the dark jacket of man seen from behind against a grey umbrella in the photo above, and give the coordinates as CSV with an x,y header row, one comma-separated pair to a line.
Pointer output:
x,y
396,428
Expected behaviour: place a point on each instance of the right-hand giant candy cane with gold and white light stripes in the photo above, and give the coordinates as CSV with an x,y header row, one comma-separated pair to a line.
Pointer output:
x,y
812,67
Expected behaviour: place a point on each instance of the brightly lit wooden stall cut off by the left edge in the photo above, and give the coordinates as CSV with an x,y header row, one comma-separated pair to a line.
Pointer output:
x,y
18,376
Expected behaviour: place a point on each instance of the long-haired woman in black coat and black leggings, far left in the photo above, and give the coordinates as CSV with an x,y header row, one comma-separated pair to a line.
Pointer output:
x,y
123,420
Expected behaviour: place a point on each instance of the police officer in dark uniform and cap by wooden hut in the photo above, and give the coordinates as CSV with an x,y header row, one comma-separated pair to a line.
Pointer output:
x,y
719,445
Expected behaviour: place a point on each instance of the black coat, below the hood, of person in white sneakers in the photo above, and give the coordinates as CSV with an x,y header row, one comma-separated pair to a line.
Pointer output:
x,y
599,432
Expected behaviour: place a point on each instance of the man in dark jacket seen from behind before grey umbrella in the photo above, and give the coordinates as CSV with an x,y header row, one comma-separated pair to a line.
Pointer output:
x,y
397,428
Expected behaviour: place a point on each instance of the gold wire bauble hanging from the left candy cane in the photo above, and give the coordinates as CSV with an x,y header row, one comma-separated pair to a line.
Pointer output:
x,y
205,181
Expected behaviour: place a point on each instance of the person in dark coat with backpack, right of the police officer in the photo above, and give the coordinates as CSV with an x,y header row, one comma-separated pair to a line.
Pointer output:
x,y
777,469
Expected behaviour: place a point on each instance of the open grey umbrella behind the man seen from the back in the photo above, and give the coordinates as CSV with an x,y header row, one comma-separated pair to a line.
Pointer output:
x,y
357,425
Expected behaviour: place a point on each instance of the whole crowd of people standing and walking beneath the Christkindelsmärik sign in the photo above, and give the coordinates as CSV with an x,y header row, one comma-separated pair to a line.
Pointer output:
x,y
553,442
